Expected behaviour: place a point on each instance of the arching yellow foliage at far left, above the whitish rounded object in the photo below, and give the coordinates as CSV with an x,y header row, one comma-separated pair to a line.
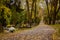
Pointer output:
x,y
7,13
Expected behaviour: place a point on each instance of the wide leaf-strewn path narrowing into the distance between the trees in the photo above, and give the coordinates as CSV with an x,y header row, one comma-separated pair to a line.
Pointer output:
x,y
41,32
